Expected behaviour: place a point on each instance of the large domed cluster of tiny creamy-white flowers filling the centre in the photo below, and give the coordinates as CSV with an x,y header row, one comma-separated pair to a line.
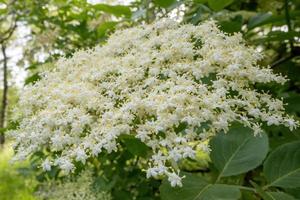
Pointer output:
x,y
166,84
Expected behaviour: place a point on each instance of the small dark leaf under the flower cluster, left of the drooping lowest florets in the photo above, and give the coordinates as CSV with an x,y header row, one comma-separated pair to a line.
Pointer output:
x,y
135,146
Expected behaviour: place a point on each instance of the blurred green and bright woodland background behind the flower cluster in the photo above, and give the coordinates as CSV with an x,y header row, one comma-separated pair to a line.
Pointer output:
x,y
35,33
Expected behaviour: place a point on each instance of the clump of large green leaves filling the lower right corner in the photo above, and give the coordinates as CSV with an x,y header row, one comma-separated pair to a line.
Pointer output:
x,y
233,155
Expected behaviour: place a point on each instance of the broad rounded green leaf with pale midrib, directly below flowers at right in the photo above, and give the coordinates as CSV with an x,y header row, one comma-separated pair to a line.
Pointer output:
x,y
238,151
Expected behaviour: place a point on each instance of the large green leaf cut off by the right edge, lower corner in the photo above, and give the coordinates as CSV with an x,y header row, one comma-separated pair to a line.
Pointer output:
x,y
282,167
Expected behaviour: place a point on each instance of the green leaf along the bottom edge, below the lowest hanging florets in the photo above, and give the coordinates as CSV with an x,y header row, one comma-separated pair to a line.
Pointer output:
x,y
196,188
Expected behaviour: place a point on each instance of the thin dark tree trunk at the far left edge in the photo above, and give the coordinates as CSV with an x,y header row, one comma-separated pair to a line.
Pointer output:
x,y
4,95
